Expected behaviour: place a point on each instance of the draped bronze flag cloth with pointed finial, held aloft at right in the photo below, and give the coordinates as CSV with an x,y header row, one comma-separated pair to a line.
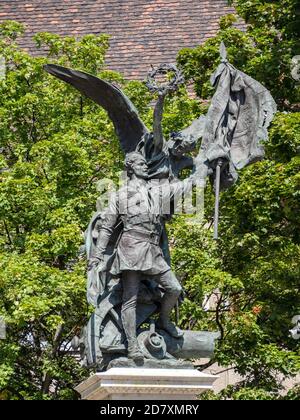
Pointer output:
x,y
236,123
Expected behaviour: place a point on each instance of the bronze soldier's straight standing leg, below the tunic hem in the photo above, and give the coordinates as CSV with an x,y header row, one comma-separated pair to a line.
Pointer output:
x,y
130,283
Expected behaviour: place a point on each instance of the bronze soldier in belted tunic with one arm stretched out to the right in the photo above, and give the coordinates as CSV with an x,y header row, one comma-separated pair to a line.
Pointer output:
x,y
140,207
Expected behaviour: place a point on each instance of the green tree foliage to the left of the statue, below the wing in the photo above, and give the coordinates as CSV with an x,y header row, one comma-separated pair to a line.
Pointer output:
x,y
55,145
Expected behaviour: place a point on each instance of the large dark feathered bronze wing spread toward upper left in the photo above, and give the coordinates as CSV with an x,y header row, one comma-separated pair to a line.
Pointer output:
x,y
129,127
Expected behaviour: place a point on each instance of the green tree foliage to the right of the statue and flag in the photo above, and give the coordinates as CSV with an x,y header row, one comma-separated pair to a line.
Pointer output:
x,y
253,272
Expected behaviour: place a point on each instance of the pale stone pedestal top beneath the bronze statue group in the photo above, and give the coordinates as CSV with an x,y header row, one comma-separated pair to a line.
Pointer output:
x,y
146,384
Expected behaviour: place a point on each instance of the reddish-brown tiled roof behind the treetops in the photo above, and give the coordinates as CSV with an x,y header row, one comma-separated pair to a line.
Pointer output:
x,y
143,32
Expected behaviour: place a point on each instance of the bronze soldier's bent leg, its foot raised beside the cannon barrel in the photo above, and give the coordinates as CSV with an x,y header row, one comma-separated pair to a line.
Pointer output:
x,y
172,290
